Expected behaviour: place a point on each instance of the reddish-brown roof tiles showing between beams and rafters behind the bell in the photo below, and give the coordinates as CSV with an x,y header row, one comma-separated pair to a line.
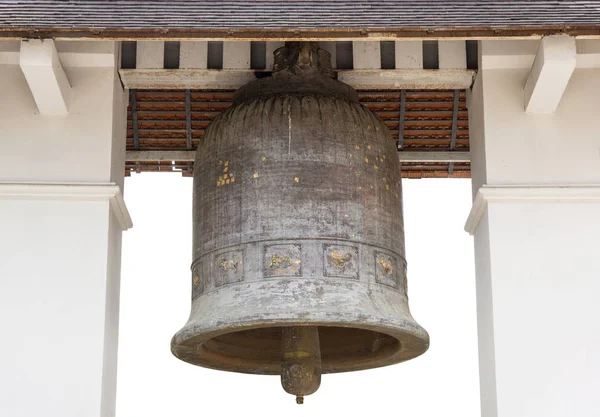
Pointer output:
x,y
427,122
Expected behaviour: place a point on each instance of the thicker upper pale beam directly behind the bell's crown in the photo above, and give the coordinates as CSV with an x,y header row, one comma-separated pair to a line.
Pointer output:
x,y
225,79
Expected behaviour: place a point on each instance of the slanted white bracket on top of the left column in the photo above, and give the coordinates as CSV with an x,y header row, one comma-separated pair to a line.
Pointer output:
x,y
45,75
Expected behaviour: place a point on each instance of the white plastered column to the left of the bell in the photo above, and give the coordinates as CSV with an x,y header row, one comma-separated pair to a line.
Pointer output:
x,y
61,219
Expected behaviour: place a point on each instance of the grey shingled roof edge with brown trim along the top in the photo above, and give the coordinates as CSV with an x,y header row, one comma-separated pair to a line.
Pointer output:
x,y
300,19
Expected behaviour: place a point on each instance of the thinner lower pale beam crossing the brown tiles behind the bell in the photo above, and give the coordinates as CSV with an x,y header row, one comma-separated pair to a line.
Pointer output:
x,y
188,156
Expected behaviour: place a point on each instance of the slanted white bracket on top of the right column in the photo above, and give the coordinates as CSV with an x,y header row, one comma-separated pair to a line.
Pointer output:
x,y
551,71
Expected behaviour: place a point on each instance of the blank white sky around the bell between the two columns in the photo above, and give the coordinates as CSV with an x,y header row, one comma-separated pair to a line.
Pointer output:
x,y
155,303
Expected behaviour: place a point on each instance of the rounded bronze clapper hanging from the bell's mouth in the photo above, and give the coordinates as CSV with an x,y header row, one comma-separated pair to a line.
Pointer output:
x,y
300,361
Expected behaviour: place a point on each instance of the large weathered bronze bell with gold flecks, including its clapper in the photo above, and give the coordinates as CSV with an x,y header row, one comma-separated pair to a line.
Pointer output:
x,y
299,264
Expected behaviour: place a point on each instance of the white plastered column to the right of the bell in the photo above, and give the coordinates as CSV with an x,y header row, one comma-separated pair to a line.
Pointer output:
x,y
536,224
